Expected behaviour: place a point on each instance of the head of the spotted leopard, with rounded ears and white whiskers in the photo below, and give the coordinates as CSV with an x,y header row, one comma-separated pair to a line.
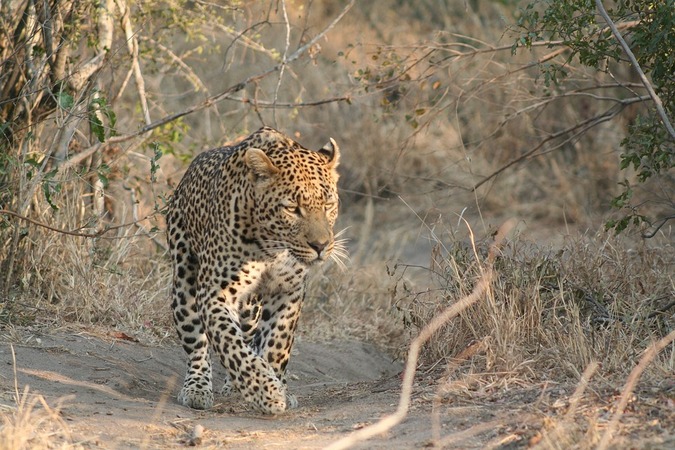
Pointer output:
x,y
296,200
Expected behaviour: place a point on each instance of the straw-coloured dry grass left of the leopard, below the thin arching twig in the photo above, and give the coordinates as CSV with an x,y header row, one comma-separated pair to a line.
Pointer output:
x,y
94,282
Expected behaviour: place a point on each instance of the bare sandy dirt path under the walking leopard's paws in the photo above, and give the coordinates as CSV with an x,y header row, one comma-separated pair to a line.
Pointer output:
x,y
120,394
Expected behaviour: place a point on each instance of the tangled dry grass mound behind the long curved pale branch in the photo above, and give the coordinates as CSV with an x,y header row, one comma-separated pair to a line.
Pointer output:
x,y
550,312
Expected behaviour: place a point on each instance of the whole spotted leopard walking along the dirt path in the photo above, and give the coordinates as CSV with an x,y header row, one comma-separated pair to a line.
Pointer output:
x,y
245,226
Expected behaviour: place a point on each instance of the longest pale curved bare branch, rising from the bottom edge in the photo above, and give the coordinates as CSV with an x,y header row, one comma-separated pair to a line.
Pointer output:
x,y
388,422
